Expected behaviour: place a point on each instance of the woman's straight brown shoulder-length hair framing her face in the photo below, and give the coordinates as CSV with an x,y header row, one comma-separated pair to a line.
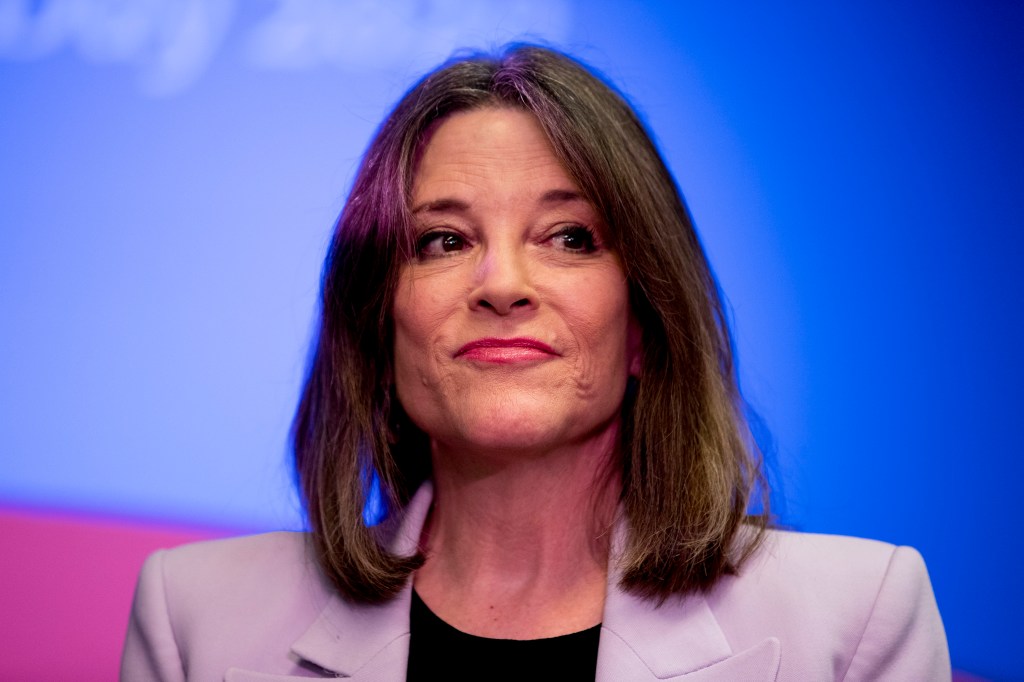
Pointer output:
x,y
690,468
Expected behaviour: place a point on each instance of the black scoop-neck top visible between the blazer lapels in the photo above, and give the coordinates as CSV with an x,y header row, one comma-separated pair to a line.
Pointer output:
x,y
439,652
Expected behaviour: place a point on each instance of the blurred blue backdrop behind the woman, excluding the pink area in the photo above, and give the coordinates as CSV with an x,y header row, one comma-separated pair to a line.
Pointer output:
x,y
169,174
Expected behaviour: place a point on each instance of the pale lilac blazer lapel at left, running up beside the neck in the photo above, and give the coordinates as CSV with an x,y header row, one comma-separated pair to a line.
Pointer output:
x,y
369,643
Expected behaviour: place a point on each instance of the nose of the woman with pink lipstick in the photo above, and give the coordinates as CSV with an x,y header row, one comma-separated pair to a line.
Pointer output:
x,y
503,282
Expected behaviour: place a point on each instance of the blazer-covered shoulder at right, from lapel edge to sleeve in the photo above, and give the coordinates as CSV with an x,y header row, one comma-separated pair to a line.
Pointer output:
x,y
852,599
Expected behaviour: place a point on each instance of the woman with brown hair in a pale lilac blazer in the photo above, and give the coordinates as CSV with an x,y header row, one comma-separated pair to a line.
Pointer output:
x,y
523,355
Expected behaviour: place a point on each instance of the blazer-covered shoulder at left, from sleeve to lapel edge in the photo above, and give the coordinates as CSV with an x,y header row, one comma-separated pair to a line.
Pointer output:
x,y
203,608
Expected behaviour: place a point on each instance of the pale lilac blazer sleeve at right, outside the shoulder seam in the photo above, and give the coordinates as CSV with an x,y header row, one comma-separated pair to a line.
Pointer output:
x,y
904,638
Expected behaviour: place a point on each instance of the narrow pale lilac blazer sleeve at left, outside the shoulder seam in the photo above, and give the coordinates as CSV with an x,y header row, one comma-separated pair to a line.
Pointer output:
x,y
151,650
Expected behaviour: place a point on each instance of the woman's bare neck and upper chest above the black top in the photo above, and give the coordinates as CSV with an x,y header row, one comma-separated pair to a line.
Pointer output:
x,y
518,544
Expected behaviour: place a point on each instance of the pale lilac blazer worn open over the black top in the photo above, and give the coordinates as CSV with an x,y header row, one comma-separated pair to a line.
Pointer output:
x,y
805,608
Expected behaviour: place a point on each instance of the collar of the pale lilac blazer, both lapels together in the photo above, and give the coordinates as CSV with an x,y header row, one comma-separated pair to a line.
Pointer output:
x,y
639,641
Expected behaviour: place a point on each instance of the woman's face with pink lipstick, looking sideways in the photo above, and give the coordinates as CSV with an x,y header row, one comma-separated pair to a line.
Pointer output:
x,y
513,322
